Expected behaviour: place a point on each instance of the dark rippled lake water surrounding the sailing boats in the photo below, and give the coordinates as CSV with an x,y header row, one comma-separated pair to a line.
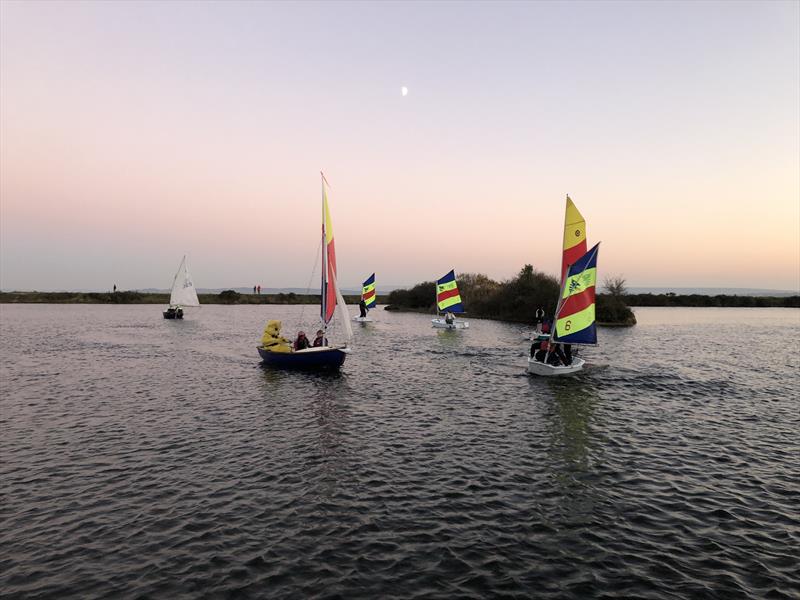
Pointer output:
x,y
145,458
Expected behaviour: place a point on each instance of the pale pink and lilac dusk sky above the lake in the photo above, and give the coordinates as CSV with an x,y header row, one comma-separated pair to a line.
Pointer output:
x,y
132,133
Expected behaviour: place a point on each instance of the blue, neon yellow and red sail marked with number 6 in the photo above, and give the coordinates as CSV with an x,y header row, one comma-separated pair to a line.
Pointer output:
x,y
575,316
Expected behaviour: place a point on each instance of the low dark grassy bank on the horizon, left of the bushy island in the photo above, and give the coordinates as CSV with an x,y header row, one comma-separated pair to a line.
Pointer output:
x,y
132,297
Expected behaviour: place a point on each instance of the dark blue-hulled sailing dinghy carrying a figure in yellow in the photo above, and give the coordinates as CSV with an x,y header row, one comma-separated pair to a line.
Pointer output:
x,y
326,356
